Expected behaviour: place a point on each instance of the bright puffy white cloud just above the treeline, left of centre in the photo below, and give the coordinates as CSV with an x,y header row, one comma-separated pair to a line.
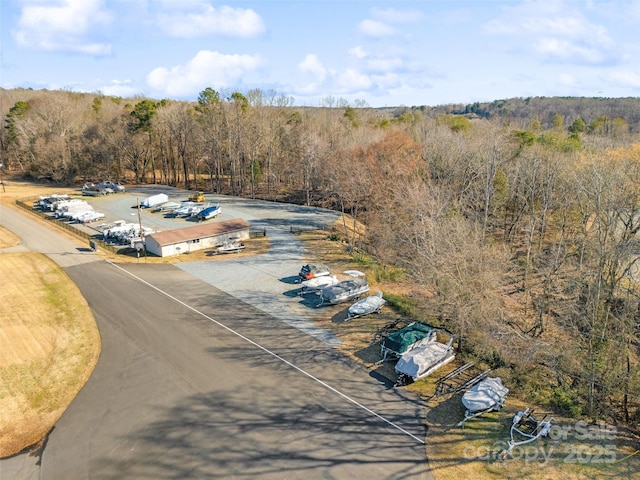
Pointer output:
x,y
207,68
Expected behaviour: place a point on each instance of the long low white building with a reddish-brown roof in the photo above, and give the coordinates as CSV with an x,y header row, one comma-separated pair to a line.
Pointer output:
x,y
205,235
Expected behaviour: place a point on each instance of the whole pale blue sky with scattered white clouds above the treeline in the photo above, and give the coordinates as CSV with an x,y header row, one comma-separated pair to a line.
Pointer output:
x,y
383,53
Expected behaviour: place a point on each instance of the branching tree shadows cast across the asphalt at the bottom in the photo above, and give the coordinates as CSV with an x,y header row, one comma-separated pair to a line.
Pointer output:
x,y
251,433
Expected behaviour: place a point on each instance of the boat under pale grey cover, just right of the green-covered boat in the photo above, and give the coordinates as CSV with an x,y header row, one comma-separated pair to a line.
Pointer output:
x,y
423,360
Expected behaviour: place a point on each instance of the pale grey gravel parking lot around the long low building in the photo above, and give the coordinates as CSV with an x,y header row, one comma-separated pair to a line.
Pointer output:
x,y
264,282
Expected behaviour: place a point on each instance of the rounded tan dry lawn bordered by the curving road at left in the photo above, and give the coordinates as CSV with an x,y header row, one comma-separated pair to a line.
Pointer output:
x,y
49,345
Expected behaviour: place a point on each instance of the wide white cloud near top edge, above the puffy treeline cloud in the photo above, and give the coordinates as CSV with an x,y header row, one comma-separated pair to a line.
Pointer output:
x,y
203,19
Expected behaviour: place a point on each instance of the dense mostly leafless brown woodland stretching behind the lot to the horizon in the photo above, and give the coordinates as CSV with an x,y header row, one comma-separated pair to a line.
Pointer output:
x,y
519,217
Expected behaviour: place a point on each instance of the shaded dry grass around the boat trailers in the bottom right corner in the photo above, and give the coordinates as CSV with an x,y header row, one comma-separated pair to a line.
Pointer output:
x,y
568,453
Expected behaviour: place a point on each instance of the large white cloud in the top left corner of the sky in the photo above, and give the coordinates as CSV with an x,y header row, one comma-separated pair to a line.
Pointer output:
x,y
63,25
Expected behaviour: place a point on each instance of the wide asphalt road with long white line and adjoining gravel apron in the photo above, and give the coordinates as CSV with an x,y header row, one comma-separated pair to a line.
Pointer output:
x,y
196,382
